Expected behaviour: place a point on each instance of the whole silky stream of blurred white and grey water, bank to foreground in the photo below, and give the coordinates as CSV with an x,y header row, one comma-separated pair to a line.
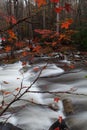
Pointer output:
x,y
39,116
